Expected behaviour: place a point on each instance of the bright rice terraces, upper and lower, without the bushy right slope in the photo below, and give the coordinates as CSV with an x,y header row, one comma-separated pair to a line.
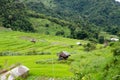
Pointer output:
x,y
19,42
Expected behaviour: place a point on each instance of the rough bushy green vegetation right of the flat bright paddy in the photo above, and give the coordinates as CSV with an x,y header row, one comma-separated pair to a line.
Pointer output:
x,y
90,65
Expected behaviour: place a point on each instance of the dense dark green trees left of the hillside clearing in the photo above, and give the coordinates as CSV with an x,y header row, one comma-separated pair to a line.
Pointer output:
x,y
14,15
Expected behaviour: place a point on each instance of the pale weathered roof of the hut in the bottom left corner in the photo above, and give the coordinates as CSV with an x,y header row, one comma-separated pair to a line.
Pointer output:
x,y
18,71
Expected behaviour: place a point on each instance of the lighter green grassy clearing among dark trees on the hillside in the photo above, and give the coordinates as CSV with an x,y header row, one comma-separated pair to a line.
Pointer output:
x,y
52,28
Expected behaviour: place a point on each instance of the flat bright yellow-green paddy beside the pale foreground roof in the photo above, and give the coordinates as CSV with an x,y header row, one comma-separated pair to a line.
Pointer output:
x,y
49,70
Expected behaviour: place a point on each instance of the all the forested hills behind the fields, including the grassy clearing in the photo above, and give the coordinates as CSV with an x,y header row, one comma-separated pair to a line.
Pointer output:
x,y
70,18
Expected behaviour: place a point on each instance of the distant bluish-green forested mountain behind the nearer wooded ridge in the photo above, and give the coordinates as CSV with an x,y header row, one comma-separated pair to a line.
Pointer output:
x,y
100,12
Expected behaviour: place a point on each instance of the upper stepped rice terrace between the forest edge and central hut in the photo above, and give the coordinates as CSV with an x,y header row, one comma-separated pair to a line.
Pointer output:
x,y
21,42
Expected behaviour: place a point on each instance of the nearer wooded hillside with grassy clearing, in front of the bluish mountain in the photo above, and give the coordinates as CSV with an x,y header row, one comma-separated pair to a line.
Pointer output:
x,y
17,16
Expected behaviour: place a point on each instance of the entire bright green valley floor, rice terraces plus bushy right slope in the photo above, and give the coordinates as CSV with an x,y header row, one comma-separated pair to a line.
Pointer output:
x,y
93,65
